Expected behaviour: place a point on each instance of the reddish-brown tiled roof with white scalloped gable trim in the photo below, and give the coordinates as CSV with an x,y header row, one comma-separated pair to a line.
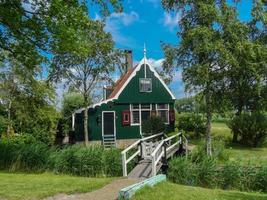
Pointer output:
x,y
124,80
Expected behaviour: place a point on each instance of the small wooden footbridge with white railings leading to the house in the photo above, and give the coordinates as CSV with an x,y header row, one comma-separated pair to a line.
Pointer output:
x,y
151,153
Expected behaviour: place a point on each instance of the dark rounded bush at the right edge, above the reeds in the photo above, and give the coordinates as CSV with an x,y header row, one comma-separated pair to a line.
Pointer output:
x,y
251,128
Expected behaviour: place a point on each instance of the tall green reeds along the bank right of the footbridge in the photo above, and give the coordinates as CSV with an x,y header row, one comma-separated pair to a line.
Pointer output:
x,y
206,172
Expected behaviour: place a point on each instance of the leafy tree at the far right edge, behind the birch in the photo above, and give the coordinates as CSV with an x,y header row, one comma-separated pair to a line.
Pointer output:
x,y
245,61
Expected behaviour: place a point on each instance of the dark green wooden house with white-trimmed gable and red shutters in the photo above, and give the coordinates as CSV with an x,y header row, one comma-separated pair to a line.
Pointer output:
x,y
118,118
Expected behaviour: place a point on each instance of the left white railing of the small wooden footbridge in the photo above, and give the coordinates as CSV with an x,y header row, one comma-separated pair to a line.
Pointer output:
x,y
141,151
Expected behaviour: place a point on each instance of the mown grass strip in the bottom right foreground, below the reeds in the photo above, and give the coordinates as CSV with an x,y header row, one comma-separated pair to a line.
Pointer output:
x,y
171,191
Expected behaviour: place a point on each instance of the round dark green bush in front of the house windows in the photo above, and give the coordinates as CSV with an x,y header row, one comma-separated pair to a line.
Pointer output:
x,y
153,125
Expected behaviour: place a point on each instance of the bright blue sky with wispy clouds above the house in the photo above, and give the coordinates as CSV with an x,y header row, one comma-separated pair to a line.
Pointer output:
x,y
145,21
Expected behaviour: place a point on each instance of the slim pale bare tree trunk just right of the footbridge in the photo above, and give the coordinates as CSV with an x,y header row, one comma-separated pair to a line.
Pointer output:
x,y
208,123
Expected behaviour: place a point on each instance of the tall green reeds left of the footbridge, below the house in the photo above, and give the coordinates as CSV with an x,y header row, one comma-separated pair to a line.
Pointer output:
x,y
18,155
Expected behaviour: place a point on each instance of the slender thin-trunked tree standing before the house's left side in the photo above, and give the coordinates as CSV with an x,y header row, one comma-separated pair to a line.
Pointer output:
x,y
85,68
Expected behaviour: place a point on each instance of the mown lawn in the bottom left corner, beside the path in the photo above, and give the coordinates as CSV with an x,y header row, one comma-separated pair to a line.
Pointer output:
x,y
37,186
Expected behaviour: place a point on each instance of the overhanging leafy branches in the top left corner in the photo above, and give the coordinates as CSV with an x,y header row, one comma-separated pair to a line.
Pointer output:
x,y
29,28
